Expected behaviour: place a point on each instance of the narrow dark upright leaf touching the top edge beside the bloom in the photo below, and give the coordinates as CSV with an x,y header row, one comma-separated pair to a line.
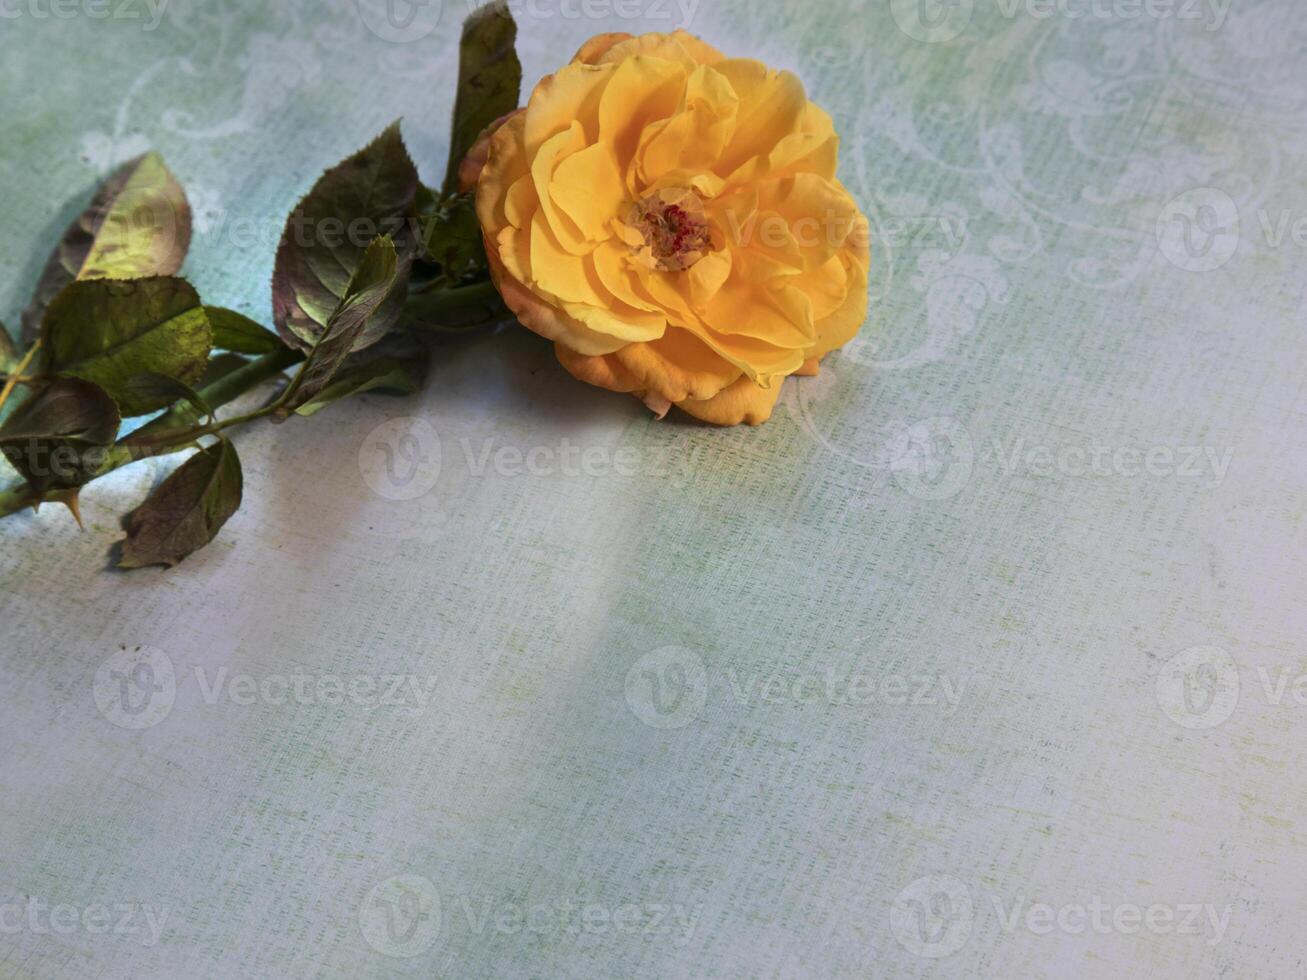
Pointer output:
x,y
489,82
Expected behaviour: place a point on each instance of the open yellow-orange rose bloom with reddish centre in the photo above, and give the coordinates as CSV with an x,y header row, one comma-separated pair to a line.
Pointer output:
x,y
671,219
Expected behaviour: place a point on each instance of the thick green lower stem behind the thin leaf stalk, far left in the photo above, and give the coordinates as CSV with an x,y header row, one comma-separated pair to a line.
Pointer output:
x,y
163,436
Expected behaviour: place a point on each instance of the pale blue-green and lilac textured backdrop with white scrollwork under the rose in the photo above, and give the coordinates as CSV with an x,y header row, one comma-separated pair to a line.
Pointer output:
x,y
982,658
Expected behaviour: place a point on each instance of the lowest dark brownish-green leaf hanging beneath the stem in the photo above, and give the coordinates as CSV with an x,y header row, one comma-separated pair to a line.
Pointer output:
x,y
186,512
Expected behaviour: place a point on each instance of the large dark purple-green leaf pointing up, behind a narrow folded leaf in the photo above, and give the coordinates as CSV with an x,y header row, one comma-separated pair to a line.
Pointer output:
x,y
367,197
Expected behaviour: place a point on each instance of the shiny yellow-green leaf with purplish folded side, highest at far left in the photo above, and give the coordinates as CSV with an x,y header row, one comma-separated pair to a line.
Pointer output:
x,y
138,225
